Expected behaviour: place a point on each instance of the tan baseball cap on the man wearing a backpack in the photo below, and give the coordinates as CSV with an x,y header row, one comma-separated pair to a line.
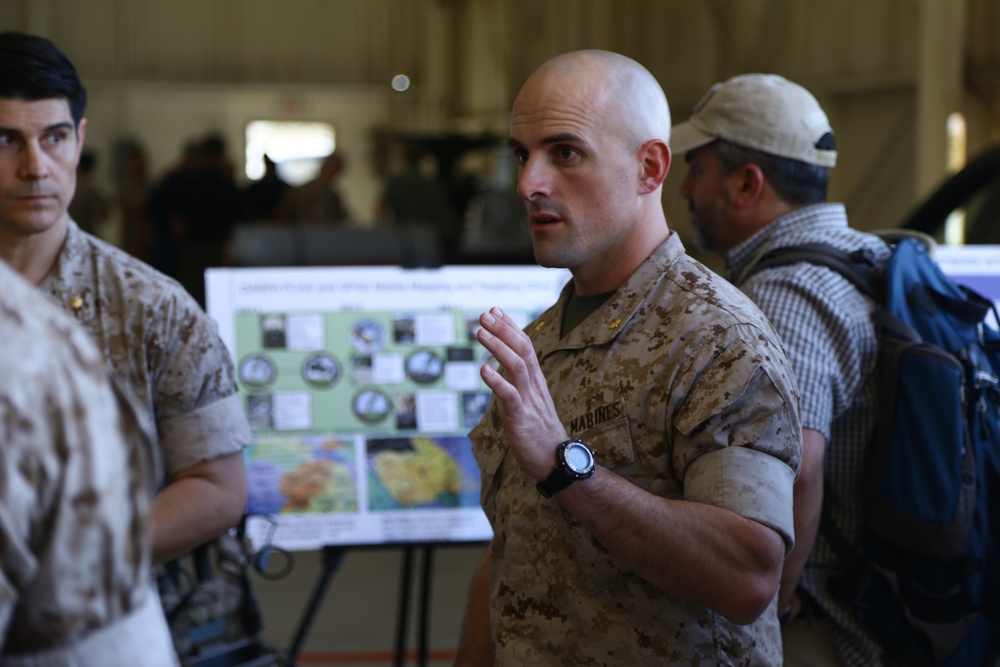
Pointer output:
x,y
765,112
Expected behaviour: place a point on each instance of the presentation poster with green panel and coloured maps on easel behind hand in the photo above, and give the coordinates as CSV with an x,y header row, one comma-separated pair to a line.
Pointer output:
x,y
361,385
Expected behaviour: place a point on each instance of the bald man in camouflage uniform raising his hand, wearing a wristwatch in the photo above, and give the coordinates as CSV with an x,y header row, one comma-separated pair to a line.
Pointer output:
x,y
668,549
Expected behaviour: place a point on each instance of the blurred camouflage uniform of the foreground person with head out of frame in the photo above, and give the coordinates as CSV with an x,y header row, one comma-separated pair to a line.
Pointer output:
x,y
75,585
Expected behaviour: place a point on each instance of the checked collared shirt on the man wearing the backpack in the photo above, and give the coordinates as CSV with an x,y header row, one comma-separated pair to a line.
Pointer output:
x,y
827,329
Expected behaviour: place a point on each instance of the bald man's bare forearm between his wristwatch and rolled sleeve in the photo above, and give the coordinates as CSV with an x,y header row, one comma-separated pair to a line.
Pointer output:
x,y
703,554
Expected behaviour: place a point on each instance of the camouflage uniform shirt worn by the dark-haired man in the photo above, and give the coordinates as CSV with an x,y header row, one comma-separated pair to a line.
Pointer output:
x,y
161,346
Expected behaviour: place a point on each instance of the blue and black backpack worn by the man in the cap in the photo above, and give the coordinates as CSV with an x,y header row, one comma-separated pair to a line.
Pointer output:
x,y
928,578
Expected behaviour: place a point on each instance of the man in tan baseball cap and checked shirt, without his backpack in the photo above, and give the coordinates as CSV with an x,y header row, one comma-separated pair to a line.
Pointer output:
x,y
760,149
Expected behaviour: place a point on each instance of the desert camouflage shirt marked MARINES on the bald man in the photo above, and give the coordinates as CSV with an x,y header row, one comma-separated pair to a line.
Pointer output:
x,y
678,384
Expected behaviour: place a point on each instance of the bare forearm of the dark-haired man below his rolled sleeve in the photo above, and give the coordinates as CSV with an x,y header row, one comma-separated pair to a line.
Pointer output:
x,y
197,506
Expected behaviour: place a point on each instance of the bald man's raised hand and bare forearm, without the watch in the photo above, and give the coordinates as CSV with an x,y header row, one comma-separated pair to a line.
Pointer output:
x,y
700,553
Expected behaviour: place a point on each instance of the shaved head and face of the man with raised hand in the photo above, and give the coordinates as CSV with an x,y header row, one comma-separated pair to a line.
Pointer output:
x,y
590,132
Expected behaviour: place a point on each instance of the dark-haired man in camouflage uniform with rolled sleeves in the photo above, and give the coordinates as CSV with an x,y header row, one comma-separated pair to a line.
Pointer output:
x,y
160,345
